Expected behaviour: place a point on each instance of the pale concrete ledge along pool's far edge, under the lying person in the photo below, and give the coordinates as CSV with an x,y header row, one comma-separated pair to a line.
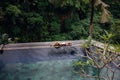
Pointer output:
x,y
38,45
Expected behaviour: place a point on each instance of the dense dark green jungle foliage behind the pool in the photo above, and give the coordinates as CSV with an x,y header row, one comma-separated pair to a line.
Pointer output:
x,y
48,20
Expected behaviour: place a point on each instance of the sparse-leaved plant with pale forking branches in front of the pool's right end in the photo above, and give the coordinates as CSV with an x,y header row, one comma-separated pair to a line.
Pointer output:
x,y
105,59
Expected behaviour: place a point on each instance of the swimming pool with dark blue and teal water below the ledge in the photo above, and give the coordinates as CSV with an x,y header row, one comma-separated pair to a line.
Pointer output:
x,y
41,63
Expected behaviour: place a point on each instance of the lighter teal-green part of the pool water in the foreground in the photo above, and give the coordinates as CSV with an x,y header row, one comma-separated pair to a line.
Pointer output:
x,y
43,70
